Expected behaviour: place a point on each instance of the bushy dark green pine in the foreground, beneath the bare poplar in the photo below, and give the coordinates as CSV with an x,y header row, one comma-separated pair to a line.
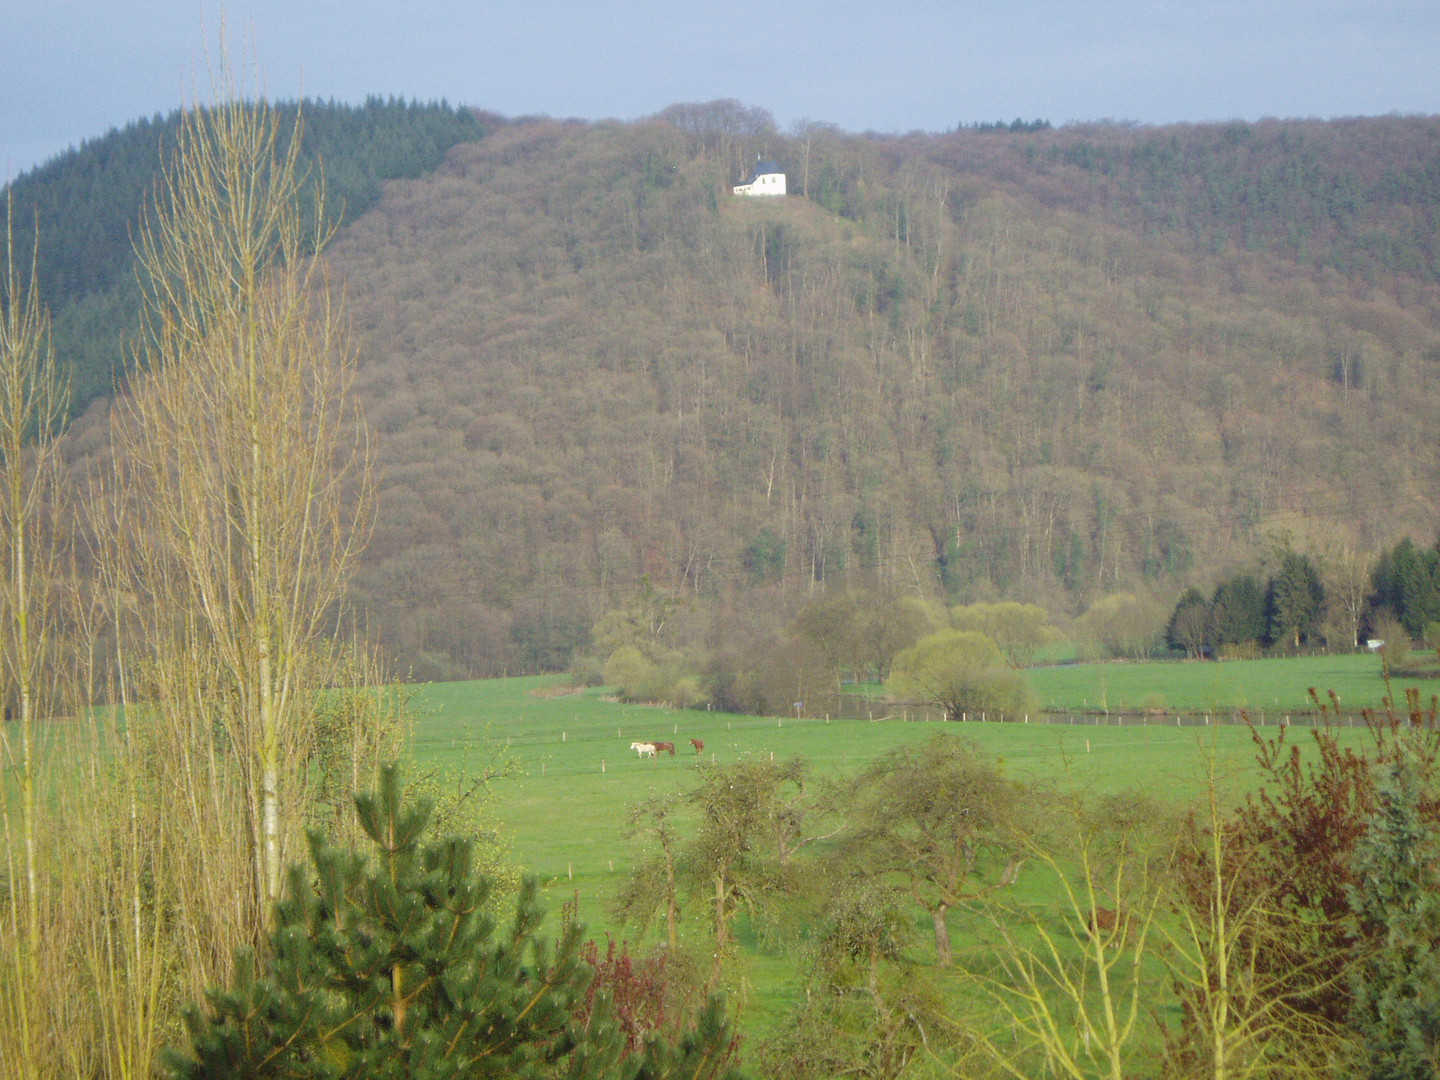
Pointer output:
x,y
394,967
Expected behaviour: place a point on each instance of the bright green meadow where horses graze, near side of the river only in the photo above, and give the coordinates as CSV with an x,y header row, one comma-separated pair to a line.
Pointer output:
x,y
565,811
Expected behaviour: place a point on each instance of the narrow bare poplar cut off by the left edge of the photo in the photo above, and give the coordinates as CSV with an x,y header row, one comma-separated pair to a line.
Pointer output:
x,y
32,405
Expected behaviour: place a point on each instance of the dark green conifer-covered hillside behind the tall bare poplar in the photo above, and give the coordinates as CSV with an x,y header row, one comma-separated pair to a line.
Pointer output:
x,y
87,204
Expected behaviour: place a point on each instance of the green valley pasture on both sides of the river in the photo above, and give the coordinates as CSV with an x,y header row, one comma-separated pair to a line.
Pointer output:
x,y
564,810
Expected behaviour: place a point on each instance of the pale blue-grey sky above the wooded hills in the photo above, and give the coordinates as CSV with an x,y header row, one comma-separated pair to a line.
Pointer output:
x,y
73,70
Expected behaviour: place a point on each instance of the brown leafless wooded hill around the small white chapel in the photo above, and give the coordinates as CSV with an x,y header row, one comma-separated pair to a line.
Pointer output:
x,y
1035,365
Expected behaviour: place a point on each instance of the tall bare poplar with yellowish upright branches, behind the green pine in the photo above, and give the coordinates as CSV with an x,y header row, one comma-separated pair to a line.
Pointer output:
x,y
243,462
